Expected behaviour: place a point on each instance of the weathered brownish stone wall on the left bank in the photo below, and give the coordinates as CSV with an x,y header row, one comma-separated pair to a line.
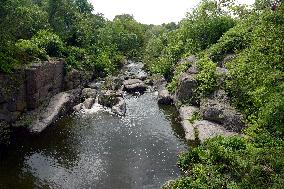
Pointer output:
x,y
27,89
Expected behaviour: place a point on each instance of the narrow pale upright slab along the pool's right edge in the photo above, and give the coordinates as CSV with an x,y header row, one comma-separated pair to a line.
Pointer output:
x,y
187,112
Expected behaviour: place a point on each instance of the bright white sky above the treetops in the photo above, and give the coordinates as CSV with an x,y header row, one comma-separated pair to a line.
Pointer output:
x,y
148,11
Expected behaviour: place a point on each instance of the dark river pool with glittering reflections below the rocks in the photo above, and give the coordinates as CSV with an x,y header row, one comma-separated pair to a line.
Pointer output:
x,y
99,150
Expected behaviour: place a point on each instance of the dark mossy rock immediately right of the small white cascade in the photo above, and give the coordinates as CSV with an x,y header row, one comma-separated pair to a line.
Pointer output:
x,y
109,98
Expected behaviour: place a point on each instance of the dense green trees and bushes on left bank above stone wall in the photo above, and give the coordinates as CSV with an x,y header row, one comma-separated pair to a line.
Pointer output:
x,y
43,29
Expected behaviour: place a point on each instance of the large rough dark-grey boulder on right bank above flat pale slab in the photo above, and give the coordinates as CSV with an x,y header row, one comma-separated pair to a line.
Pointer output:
x,y
217,109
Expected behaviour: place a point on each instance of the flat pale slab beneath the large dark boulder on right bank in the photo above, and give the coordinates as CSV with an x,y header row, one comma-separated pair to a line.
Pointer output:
x,y
207,129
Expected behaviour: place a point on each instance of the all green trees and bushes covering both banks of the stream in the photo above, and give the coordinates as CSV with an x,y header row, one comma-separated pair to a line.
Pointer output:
x,y
252,37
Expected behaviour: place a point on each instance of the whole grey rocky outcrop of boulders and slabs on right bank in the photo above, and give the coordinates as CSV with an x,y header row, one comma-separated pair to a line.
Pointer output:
x,y
207,118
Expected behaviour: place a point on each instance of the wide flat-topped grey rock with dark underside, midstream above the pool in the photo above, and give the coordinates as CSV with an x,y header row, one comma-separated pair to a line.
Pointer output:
x,y
134,85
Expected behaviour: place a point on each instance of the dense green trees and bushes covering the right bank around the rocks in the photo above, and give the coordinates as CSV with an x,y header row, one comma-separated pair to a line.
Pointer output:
x,y
253,38
